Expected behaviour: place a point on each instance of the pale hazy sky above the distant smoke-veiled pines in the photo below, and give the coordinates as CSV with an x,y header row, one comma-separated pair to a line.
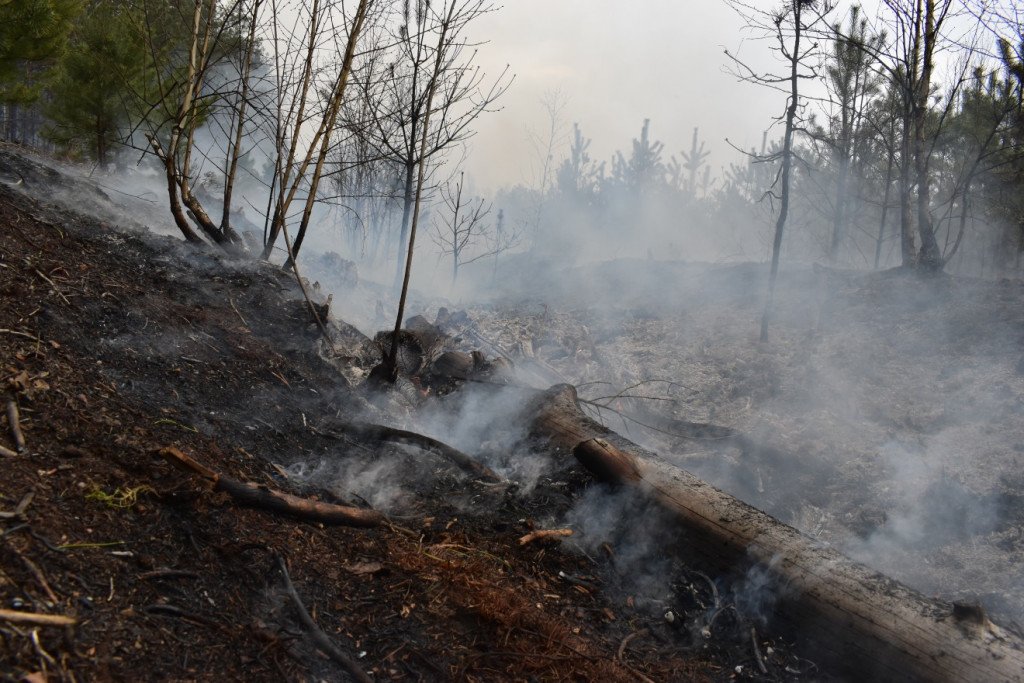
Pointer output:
x,y
617,64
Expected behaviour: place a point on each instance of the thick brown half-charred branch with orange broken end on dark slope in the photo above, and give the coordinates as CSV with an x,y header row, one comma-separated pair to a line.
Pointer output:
x,y
264,498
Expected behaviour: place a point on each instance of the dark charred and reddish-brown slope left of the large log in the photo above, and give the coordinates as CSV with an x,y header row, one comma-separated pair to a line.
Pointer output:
x,y
115,345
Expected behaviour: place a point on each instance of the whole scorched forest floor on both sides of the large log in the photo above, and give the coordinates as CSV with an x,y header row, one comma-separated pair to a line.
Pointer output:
x,y
884,416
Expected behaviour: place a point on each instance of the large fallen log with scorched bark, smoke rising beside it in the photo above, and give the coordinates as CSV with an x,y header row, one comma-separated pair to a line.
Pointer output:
x,y
868,625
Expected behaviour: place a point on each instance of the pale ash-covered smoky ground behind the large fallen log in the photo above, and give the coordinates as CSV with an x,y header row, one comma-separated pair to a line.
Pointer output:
x,y
884,416
